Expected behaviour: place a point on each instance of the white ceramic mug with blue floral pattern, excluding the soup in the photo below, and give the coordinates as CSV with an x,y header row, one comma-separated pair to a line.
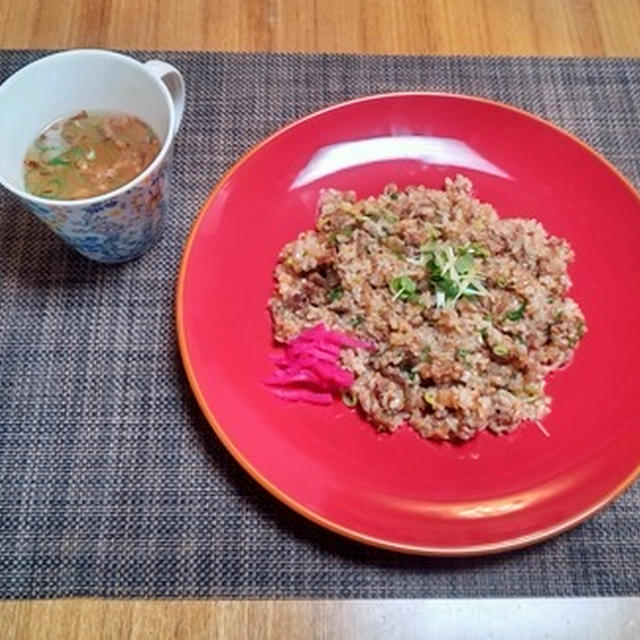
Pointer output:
x,y
124,223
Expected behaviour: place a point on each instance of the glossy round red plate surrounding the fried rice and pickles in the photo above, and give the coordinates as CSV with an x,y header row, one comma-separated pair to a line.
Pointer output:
x,y
401,492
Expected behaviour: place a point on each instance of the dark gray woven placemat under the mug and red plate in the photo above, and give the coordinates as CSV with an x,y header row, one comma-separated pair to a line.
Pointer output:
x,y
111,481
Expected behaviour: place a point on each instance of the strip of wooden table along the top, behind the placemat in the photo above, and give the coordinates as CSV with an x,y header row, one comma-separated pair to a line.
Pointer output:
x,y
529,27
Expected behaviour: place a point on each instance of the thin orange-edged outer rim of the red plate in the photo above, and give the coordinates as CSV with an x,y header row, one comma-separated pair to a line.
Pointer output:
x,y
471,550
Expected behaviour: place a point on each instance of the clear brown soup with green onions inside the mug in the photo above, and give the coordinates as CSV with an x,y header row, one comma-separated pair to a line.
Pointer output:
x,y
88,154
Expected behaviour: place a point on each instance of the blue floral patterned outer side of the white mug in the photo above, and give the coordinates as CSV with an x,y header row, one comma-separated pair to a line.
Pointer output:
x,y
117,229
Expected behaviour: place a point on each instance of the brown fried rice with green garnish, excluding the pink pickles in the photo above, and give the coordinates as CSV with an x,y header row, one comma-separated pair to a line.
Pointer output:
x,y
469,312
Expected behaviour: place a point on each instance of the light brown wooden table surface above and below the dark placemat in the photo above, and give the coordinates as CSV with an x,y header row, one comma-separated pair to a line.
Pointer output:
x,y
512,27
